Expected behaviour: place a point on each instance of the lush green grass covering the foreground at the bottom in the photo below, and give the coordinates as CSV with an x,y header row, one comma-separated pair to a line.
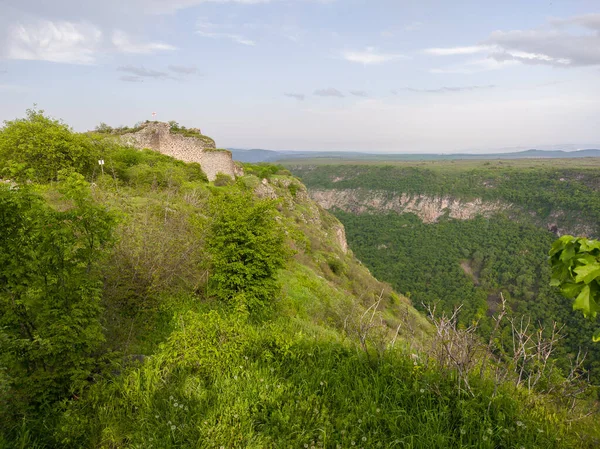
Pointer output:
x,y
218,382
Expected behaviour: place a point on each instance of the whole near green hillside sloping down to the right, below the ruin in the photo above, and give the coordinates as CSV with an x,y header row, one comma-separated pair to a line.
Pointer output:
x,y
145,306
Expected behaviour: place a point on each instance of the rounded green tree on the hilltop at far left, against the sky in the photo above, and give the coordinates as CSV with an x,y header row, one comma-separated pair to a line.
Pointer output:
x,y
38,147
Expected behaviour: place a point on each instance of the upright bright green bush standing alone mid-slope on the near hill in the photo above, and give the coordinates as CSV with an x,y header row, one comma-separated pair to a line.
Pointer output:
x,y
247,246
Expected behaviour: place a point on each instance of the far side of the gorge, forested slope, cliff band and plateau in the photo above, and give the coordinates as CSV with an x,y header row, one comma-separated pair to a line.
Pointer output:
x,y
511,207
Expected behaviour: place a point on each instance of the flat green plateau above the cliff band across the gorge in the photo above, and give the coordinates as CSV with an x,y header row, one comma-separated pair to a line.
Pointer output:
x,y
548,191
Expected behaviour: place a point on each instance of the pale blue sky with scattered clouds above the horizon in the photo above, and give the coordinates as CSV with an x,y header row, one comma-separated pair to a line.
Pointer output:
x,y
354,75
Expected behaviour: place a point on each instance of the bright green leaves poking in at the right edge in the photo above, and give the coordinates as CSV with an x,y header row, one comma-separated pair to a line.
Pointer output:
x,y
576,271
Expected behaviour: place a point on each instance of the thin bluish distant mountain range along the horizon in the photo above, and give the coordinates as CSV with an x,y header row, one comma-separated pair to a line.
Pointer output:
x,y
258,155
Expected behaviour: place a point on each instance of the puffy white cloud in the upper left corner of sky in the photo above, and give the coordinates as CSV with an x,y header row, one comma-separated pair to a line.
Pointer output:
x,y
58,41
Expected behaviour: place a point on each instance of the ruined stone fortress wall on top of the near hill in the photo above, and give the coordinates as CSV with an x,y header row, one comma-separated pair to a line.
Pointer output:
x,y
157,136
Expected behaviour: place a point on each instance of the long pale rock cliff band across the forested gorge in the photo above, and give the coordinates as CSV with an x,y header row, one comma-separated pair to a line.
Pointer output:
x,y
427,208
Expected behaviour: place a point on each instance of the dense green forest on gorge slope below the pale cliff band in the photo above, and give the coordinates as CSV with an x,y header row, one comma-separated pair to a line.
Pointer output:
x,y
470,264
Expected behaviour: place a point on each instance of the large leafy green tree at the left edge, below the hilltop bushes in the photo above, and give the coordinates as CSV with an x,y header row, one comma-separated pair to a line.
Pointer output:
x,y
49,292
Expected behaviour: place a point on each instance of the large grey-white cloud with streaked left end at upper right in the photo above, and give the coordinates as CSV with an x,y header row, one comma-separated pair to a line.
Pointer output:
x,y
568,42
